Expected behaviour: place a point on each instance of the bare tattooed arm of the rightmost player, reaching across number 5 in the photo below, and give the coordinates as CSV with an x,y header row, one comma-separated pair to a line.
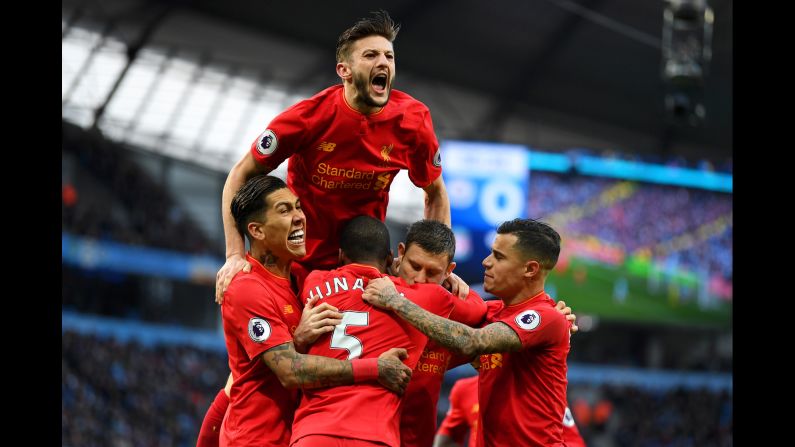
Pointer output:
x,y
496,337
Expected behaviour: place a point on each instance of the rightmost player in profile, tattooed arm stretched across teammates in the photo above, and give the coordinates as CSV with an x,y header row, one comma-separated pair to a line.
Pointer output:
x,y
522,350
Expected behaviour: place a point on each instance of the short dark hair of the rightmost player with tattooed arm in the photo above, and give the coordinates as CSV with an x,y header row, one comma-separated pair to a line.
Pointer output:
x,y
535,240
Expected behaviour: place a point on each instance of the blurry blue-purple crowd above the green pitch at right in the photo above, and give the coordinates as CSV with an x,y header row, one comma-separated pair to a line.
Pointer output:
x,y
648,217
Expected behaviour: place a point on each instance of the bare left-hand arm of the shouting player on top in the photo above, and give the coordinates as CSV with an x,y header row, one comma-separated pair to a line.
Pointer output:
x,y
246,168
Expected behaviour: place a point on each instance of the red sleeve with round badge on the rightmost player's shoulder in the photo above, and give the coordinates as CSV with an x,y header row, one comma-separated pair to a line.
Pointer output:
x,y
537,326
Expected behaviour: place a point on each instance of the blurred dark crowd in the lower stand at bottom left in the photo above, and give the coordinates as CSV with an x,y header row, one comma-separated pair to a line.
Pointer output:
x,y
124,394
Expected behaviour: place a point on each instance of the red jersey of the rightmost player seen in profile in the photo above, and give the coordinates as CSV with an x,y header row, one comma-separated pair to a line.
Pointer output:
x,y
523,394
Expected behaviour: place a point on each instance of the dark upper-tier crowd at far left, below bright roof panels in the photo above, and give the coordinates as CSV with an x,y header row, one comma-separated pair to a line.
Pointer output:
x,y
132,207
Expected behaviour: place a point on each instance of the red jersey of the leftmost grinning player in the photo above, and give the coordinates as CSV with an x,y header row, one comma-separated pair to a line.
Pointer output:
x,y
260,311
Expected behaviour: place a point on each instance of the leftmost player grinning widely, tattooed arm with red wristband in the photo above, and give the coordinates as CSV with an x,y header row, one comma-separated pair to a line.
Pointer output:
x,y
259,316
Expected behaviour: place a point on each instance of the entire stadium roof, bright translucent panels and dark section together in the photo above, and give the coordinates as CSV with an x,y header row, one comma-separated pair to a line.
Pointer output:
x,y
591,66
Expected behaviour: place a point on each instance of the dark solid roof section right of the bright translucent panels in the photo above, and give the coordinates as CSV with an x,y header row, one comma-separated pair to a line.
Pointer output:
x,y
600,59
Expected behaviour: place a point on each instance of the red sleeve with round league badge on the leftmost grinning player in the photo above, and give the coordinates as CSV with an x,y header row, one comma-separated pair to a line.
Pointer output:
x,y
256,317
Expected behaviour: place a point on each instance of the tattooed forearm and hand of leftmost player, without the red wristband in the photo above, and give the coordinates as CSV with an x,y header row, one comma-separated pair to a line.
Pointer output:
x,y
296,370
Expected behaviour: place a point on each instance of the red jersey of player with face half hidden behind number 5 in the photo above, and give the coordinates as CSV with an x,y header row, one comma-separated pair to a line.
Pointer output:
x,y
418,418
